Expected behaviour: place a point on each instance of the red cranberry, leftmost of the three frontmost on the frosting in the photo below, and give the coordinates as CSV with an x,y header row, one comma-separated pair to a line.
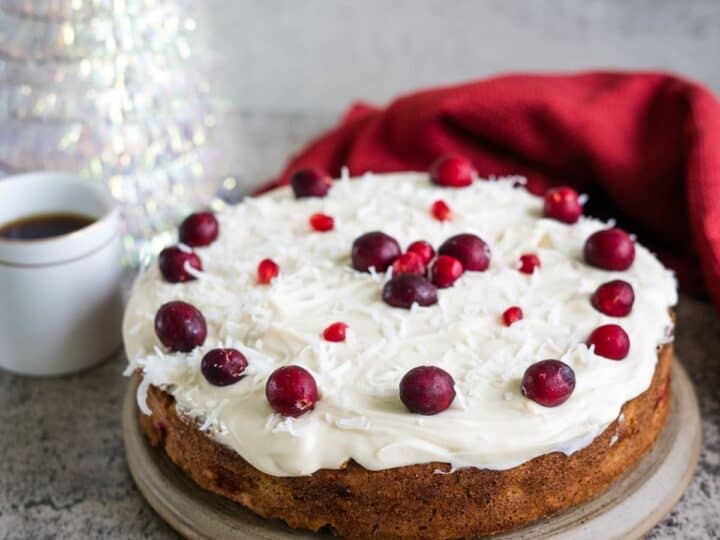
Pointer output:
x,y
291,391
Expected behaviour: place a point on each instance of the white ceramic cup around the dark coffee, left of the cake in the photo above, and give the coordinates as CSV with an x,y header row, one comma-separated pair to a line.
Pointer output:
x,y
60,297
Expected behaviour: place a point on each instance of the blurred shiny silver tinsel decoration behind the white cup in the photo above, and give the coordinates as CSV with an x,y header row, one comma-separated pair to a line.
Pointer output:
x,y
109,89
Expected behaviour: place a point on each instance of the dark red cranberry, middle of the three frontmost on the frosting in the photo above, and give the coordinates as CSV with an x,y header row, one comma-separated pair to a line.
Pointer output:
x,y
427,390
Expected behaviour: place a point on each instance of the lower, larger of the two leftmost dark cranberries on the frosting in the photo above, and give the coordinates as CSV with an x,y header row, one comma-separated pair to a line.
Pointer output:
x,y
180,326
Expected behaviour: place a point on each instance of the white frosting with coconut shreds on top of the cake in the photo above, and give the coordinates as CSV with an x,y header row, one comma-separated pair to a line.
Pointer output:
x,y
360,417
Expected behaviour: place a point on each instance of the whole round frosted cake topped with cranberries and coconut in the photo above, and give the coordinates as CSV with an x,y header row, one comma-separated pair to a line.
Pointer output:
x,y
404,355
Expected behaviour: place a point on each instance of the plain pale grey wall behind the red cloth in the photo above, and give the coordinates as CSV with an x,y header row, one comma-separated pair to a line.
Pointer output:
x,y
297,65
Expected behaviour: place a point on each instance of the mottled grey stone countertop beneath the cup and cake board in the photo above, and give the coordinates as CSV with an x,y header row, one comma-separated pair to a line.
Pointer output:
x,y
64,474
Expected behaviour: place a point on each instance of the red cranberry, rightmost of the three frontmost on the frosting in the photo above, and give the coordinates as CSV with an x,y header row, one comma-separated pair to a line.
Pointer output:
x,y
548,382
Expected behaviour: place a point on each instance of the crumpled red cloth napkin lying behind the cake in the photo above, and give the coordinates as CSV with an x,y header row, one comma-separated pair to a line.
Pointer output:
x,y
645,147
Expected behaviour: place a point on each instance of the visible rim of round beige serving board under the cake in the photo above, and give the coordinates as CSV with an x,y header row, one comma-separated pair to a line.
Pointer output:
x,y
631,507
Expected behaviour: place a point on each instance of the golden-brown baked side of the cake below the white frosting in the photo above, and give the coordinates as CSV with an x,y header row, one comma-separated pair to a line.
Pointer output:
x,y
415,502
